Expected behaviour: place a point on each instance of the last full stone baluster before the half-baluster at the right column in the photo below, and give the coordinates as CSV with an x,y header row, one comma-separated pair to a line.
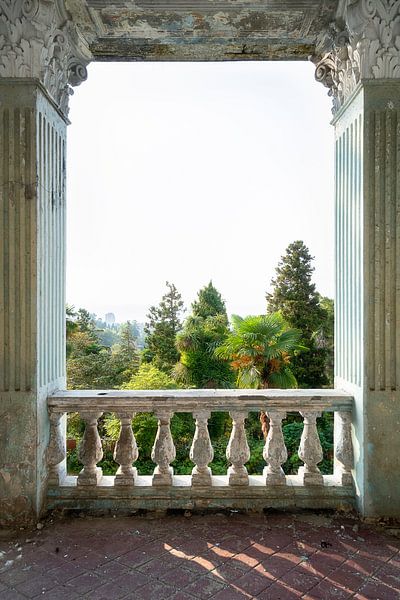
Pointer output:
x,y
310,450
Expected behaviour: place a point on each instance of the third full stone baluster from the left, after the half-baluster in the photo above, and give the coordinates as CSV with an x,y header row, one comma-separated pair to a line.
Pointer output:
x,y
163,452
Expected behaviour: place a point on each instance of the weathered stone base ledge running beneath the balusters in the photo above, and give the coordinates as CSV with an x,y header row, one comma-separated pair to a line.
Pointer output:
x,y
181,495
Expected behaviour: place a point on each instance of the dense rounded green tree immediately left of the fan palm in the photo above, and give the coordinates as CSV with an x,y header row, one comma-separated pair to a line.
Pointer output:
x,y
204,330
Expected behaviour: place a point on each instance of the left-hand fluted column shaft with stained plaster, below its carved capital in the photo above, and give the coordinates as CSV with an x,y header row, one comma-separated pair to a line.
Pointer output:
x,y
32,274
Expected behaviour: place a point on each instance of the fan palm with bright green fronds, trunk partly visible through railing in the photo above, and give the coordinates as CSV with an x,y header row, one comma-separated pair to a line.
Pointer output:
x,y
259,349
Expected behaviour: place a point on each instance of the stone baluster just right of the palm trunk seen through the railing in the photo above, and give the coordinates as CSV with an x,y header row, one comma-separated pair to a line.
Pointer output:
x,y
275,453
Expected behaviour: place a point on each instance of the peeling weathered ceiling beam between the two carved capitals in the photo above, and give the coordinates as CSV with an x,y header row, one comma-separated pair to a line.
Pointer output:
x,y
203,29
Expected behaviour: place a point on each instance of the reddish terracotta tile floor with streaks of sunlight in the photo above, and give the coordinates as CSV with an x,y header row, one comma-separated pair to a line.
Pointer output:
x,y
221,556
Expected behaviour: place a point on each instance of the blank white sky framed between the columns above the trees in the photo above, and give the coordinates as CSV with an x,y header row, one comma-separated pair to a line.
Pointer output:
x,y
191,172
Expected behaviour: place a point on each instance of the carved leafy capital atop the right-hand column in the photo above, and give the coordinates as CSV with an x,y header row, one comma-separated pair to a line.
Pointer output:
x,y
364,44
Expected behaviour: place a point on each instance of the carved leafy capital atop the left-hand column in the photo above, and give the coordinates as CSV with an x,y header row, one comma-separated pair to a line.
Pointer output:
x,y
37,40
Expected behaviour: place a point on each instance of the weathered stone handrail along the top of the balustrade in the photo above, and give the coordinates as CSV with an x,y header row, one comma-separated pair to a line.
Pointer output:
x,y
219,400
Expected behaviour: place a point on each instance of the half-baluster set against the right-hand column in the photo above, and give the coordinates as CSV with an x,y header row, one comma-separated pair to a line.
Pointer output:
x,y
344,458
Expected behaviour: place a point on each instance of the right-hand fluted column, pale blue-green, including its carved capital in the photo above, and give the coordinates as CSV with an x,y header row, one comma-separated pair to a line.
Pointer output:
x,y
362,72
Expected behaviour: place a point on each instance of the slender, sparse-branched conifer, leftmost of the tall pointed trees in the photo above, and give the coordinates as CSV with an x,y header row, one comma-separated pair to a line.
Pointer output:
x,y
164,322
